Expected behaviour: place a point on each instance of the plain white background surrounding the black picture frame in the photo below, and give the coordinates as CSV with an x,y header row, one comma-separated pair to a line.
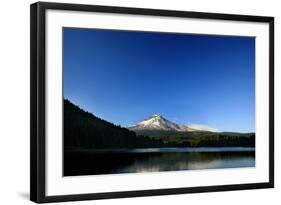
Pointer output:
x,y
14,100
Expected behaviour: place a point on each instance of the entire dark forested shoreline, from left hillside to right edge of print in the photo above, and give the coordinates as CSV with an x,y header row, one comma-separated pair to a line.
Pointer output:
x,y
84,130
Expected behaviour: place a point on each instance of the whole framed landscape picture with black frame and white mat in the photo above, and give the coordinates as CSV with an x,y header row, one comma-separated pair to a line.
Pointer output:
x,y
129,102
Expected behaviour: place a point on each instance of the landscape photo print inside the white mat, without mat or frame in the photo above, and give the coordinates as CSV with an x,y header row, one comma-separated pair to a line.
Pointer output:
x,y
140,101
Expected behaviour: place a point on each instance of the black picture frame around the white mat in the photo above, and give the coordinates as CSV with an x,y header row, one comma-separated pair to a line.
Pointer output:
x,y
37,101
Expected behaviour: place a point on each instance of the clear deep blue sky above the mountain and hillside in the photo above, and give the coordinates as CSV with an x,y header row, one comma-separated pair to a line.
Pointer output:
x,y
125,76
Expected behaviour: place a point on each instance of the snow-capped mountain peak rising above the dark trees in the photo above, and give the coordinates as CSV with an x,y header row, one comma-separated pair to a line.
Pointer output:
x,y
157,122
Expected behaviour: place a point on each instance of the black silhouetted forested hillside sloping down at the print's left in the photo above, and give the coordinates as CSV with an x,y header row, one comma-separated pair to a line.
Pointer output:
x,y
83,129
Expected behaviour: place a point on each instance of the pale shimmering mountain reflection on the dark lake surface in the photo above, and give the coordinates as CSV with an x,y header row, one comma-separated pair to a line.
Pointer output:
x,y
190,161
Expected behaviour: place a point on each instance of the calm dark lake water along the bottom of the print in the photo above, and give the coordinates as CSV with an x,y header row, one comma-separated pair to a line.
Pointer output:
x,y
92,162
